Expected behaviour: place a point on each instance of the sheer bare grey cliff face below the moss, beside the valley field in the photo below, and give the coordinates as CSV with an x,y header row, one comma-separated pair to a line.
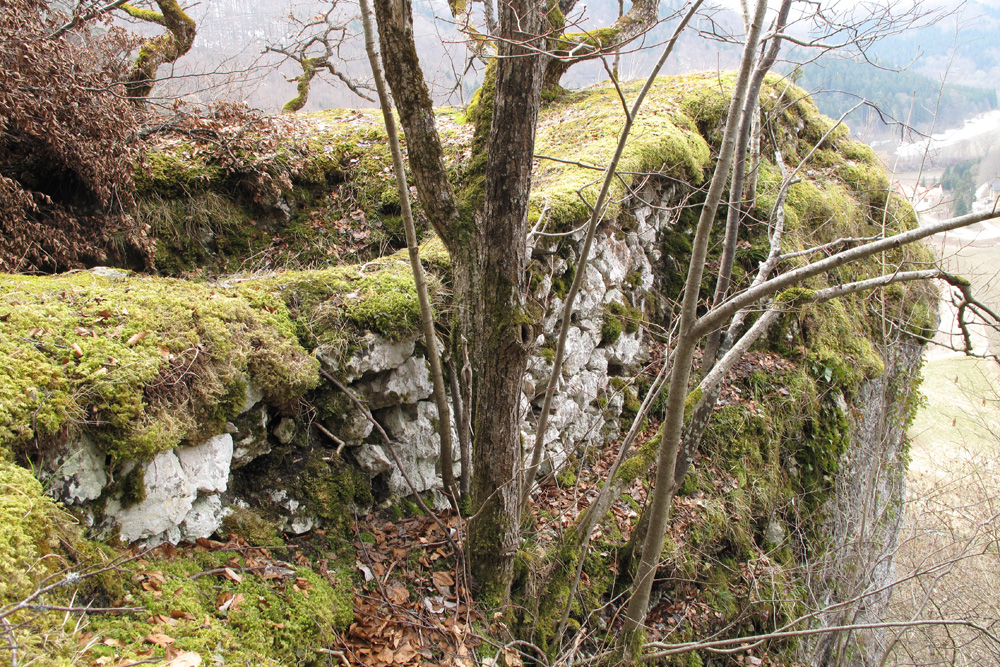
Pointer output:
x,y
864,515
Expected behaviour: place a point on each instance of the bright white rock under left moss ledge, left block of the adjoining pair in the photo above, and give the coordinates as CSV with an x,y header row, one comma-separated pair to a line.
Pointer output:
x,y
169,498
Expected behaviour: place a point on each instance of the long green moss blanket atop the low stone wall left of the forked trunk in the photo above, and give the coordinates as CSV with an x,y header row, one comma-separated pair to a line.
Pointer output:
x,y
163,362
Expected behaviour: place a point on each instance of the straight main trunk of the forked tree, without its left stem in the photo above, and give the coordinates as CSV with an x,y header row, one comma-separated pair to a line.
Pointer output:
x,y
492,301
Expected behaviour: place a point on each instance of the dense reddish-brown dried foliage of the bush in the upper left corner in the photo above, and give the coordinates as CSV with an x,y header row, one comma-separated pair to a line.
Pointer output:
x,y
67,144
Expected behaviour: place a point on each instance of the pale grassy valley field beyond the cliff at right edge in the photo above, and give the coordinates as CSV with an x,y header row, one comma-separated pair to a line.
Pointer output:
x,y
948,559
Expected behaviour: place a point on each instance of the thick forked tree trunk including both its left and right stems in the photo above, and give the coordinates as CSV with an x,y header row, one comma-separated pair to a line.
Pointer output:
x,y
485,232
